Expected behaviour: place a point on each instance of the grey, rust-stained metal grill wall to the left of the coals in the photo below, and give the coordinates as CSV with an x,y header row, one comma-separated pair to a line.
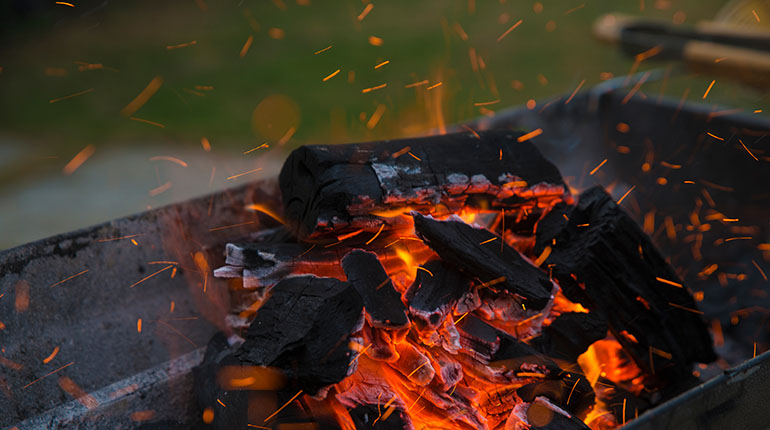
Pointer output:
x,y
92,317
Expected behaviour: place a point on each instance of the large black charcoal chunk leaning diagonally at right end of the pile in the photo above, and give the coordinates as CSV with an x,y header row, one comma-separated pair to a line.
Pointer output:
x,y
603,260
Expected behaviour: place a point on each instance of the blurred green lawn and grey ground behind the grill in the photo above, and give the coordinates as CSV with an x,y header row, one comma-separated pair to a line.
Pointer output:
x,y
112,107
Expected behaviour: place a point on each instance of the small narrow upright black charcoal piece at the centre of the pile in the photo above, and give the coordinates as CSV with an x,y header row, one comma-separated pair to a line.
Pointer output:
x,y
382,302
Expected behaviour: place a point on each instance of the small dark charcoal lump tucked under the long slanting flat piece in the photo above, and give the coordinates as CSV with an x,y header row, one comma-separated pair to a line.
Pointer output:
x,y
435,291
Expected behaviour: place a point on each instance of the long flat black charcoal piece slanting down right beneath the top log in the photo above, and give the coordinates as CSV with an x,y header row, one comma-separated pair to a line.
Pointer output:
x,y
459,244
